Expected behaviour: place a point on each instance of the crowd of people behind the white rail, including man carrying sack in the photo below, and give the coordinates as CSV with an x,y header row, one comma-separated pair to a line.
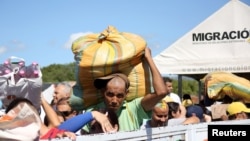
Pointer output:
x,y
162,107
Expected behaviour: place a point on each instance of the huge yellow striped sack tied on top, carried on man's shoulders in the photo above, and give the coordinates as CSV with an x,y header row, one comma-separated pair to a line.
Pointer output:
x,y
104,53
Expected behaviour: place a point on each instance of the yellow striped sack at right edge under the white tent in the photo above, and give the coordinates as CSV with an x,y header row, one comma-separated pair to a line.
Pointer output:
x,y
225,83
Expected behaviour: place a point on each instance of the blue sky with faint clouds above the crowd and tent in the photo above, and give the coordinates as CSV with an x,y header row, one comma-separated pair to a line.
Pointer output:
x,y
42,31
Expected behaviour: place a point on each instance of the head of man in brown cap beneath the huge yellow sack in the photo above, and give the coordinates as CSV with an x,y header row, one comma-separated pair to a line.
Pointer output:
x,y
114,88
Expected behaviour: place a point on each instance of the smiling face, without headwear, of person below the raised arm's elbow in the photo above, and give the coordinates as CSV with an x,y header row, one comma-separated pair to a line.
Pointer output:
x,y
159,117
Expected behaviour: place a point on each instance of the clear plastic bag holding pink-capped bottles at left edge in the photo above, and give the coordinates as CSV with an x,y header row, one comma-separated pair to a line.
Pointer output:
x,y
15,83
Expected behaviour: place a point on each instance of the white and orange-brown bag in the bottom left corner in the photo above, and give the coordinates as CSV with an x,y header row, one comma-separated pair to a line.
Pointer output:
x,y
21,123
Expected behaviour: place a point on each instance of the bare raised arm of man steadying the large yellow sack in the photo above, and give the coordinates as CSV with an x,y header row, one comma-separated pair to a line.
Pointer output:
x,y
149,100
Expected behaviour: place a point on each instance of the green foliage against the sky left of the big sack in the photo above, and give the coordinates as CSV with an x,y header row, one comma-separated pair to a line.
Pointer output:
x,y
58,72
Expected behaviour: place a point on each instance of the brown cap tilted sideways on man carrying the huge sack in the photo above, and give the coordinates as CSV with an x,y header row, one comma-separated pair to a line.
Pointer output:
x,y
102,81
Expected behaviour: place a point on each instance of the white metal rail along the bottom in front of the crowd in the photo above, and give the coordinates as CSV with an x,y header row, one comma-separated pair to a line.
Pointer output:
x,y
192,132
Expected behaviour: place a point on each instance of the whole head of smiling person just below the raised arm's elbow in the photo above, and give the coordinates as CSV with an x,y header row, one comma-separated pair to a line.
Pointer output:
x,y
160,114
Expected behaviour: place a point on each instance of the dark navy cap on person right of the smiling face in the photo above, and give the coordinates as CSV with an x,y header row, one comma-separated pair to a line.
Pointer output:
x,y
197,110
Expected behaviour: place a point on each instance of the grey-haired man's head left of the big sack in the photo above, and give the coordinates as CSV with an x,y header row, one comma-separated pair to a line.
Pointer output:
x,y
62,90
